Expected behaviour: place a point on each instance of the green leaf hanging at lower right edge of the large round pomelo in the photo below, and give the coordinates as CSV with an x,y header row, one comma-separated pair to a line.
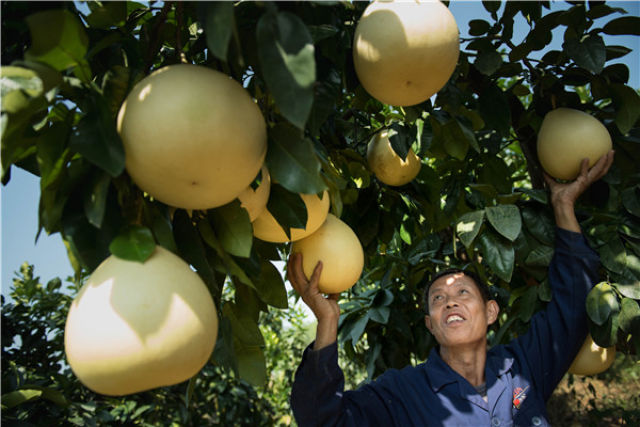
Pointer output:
x,y
233,228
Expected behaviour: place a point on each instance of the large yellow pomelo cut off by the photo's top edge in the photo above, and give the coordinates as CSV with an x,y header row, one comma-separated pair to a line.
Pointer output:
x,y
405,51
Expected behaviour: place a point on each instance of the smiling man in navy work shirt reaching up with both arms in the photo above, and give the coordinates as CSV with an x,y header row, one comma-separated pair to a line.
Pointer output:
x,y
462,382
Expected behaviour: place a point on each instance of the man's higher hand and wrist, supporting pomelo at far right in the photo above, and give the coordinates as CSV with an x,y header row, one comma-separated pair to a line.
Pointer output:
x,y
564,195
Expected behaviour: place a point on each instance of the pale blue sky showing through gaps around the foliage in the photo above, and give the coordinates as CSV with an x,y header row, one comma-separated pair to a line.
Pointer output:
x,y
19,199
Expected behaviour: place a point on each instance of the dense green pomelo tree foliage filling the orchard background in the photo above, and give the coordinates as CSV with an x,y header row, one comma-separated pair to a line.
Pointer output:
x,y
479,199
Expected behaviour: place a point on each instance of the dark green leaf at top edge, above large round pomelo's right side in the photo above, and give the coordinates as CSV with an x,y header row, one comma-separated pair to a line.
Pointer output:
x,y
218,22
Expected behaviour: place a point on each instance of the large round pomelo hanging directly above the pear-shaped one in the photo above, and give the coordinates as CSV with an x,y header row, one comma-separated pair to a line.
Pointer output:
x,y
193,137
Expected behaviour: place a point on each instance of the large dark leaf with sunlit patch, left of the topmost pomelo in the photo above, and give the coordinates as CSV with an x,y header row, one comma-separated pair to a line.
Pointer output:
x,y
286,53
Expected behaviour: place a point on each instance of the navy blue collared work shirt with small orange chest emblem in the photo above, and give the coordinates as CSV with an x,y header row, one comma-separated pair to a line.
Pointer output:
x,y
520,376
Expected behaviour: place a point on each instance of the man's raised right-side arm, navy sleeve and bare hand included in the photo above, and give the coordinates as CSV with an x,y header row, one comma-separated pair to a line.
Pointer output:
x,y
556,334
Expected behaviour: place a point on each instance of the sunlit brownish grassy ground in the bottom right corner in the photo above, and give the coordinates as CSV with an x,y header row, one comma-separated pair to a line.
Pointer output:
x,y
608,399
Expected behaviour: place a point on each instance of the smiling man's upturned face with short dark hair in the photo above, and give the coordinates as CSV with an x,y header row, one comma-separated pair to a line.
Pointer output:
x,y
458,314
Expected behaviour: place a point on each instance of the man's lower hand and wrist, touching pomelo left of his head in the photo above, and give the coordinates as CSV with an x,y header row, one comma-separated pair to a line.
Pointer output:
x,y
325,309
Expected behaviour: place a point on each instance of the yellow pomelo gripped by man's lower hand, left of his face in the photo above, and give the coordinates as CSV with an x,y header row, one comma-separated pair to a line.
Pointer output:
x,y
338,247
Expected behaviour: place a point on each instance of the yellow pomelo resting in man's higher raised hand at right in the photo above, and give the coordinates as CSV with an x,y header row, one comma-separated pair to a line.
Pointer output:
x,y
566,137
